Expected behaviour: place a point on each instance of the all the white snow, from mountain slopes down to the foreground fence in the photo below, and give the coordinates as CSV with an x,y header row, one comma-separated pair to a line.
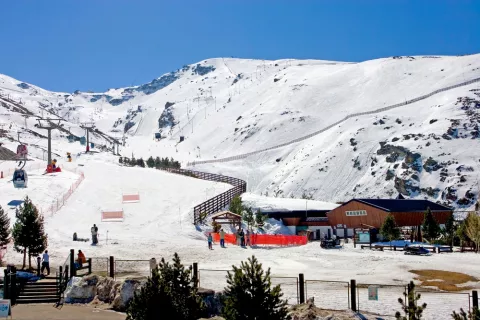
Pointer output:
x,y
228,107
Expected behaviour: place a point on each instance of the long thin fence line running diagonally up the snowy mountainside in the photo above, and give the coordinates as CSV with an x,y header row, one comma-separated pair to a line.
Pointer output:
x,y
380,110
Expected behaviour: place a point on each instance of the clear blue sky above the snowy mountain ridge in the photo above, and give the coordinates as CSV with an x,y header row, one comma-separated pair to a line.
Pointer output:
x,y
66,45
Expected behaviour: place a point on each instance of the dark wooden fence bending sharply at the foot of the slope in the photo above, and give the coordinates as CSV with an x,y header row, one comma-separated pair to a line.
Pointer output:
x,y
217,203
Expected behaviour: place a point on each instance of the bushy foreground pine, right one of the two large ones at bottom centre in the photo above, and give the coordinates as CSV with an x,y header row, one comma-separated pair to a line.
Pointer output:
x,y
249,294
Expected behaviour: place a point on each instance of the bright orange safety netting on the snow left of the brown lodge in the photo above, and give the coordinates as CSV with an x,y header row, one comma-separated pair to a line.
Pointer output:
x,y
268,239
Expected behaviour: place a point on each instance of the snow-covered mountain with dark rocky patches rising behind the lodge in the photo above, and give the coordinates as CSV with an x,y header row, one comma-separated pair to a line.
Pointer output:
x,y
227,107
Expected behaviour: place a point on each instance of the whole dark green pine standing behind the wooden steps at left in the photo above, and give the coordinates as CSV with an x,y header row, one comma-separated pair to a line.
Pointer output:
x,y
28,232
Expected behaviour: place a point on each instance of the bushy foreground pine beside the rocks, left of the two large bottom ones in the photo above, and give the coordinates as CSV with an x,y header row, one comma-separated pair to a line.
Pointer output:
x,y
169,291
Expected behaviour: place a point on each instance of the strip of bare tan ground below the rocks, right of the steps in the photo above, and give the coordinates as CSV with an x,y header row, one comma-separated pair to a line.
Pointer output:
x,y
66,312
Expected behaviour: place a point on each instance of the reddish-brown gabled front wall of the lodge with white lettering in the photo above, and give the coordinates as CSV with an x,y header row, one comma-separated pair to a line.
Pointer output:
x,y
373,218
